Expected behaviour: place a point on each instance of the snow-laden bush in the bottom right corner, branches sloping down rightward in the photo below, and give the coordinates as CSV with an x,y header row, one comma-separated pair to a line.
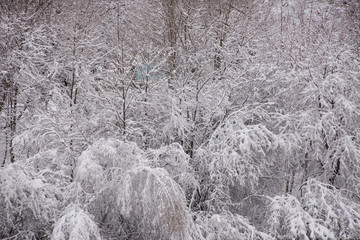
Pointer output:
x,y
332,209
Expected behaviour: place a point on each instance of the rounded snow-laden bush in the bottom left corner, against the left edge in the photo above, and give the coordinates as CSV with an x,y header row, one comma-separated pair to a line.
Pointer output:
x,y
29,203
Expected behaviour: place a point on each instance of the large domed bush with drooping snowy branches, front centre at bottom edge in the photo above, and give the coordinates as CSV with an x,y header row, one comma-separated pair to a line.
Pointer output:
x,y
151,198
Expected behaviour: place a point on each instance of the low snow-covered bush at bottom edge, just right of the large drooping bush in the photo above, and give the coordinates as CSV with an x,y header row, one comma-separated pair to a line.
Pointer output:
x,y
227,226
